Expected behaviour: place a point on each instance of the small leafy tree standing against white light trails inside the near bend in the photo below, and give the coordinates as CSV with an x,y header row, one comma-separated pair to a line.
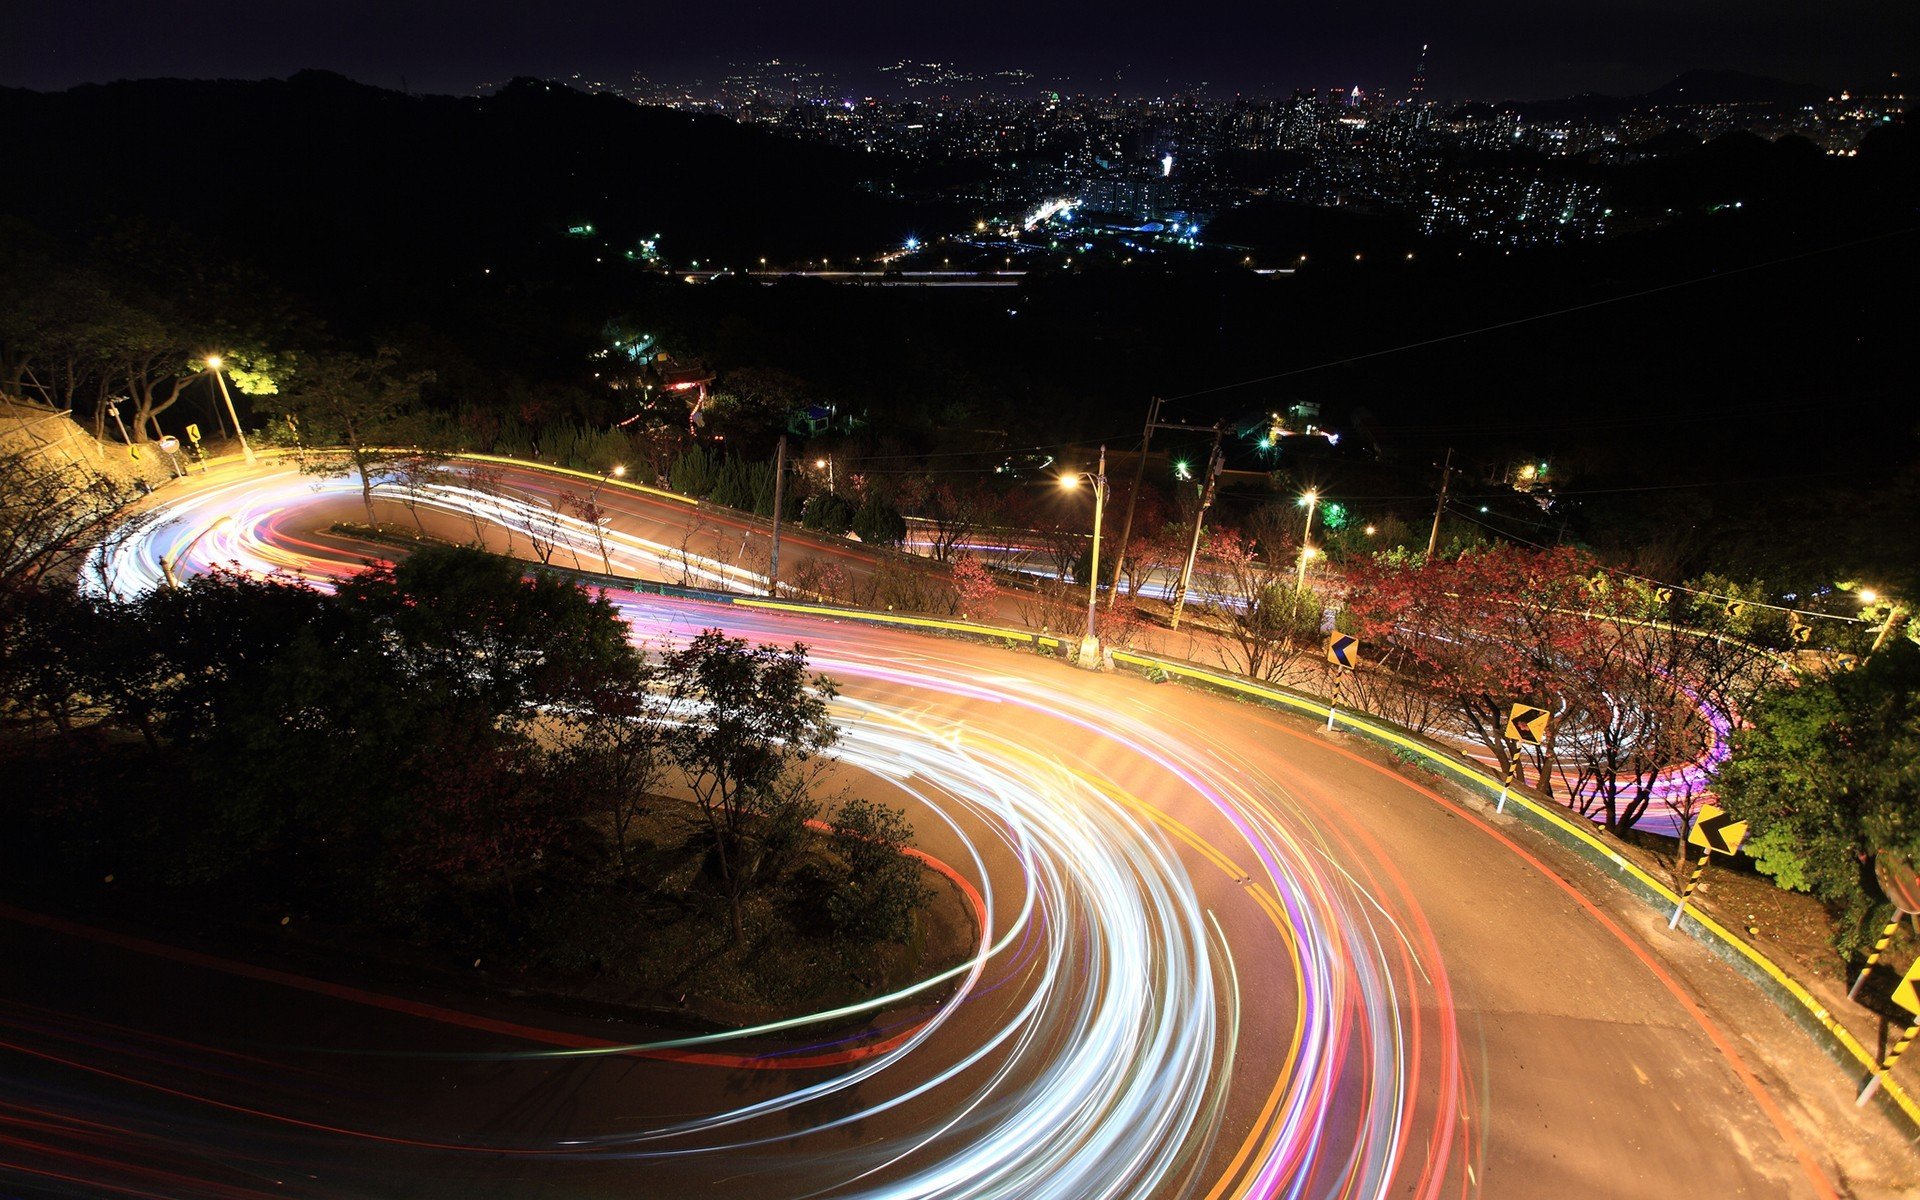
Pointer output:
x,y
756,721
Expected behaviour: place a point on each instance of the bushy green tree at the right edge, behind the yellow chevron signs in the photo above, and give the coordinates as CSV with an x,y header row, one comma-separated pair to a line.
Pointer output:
x,y
1829,777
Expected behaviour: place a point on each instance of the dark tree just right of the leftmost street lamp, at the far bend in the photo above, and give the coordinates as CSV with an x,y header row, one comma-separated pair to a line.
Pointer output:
x,y
352,402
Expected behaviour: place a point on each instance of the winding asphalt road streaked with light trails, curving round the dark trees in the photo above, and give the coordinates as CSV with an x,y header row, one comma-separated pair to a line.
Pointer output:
x,y
1220,955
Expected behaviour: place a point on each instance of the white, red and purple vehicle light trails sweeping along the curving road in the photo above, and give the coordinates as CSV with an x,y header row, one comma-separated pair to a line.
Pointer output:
x,y
1107,1028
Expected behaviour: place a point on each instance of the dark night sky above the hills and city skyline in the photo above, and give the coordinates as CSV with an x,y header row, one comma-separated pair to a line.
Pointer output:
x,y
1491,49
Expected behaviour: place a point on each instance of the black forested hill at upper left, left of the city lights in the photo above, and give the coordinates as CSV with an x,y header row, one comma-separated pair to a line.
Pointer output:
x,y
320,178
